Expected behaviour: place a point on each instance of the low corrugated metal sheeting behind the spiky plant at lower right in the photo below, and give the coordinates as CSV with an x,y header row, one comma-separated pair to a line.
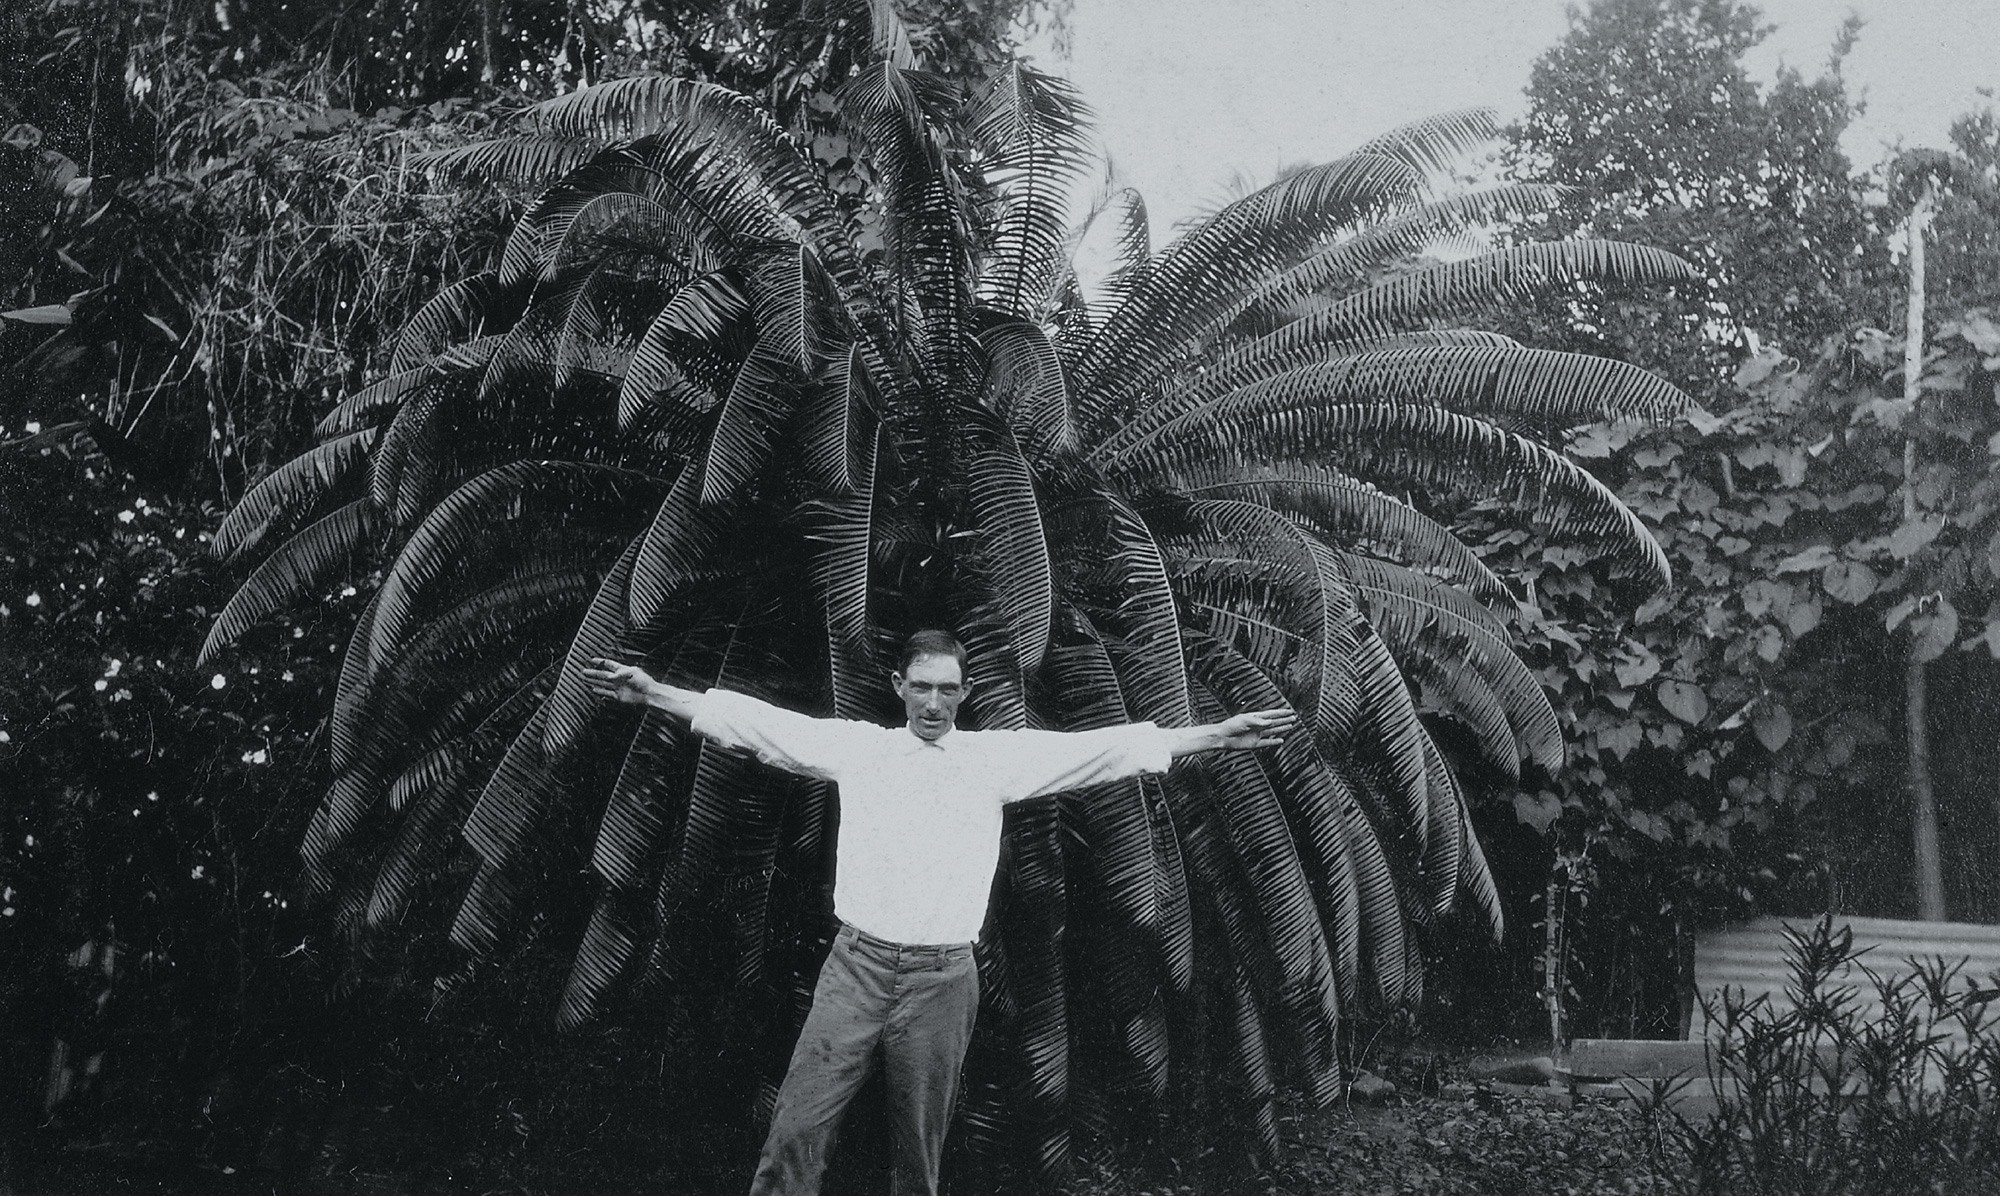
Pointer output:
x,y
1755,959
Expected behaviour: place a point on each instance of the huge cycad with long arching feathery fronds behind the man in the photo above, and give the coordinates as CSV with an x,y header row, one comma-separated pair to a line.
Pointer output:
x,y
707,417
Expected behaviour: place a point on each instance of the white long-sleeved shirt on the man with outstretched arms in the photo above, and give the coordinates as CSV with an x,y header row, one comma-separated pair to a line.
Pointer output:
x,y
921,819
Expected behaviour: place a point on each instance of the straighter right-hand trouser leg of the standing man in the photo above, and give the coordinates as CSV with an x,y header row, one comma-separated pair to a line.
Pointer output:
x,y
923,1053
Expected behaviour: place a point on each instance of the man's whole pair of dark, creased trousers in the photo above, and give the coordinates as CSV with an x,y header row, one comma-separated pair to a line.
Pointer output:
x,y
911,1007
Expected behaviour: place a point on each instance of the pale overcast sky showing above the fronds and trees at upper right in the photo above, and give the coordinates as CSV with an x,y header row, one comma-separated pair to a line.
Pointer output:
x,y
1191,93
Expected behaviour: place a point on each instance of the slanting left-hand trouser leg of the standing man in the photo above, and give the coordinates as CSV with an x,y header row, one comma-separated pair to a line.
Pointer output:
x,y
831,1063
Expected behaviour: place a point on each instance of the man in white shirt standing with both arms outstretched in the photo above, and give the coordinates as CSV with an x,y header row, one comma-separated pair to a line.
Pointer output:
x,y
917,855
